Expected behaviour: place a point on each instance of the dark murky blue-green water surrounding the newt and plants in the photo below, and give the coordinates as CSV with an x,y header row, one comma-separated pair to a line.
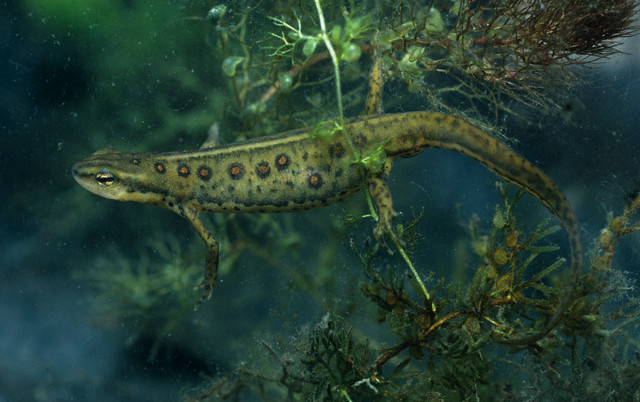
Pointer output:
x,y
142,76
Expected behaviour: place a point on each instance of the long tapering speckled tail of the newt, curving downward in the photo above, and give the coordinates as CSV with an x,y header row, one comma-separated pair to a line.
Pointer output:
x,y
420,130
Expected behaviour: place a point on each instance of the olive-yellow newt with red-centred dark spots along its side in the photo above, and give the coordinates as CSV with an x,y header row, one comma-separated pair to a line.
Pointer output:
x,y
298,170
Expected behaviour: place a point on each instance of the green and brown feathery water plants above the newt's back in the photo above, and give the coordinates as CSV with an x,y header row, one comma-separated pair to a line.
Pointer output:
x,y
467,58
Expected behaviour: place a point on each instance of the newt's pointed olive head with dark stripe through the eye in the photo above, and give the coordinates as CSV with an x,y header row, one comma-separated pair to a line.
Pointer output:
x,y
116,175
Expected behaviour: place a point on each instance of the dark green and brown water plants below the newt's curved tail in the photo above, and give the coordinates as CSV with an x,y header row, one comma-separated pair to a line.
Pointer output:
x,y
449,347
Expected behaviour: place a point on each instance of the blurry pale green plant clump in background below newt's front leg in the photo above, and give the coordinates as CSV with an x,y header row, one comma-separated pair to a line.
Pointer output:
x,y
149,293
